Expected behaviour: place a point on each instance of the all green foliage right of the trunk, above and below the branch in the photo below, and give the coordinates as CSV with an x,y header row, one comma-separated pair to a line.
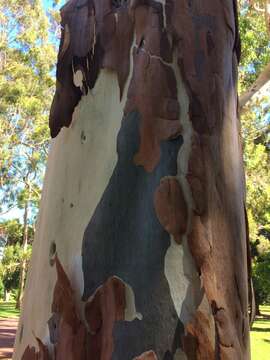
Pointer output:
x,y
256,141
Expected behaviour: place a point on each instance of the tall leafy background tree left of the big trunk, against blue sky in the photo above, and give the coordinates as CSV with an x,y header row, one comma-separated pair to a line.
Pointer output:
x,y
27,58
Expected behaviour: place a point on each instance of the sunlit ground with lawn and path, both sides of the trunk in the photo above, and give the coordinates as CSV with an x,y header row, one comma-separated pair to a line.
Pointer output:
x,y
260,333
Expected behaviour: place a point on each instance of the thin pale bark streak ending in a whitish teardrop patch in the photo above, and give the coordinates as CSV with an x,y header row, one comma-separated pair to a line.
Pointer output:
x,y
180,269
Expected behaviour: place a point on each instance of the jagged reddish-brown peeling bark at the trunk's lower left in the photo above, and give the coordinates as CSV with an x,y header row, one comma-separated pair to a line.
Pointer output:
x,y
73,341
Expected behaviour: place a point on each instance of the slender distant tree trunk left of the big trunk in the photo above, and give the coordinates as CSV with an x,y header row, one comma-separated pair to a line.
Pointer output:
x,y
23,260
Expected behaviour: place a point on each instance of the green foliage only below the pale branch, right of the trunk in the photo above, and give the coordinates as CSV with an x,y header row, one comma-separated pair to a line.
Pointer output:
x,y
256,157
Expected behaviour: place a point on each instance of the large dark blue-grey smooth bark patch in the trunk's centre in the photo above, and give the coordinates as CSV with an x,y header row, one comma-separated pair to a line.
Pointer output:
x,y
124,238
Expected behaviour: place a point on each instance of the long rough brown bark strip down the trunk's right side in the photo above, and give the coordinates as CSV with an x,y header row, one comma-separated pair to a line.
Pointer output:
x,y
205,56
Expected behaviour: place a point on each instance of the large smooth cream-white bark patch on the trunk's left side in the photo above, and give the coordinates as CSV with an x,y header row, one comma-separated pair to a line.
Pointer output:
x,y
69,199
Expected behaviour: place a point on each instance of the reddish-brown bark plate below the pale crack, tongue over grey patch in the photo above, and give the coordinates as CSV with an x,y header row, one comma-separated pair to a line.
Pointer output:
x,y
153,93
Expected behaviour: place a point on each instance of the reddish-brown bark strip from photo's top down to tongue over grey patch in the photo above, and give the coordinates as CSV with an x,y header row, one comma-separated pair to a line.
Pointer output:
x,y
152,89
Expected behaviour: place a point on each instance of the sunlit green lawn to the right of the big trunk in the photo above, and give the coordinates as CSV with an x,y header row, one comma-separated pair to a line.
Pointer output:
x,y
260,335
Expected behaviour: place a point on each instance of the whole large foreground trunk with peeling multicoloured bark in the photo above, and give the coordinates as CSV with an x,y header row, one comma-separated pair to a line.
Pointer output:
x,y
144,194
